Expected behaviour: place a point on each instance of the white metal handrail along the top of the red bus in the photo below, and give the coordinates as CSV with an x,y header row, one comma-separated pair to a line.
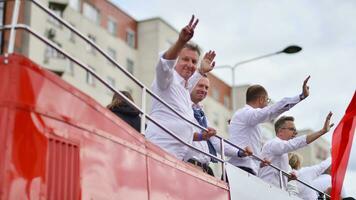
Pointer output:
x,y
145,89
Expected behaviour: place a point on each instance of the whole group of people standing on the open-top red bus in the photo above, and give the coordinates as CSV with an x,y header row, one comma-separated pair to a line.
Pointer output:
x,y
181,81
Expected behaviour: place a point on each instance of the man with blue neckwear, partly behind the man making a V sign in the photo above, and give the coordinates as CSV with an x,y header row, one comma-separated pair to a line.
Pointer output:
x,y
212,145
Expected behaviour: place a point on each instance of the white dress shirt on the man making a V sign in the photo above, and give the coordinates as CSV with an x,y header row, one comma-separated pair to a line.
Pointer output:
x,y
175,91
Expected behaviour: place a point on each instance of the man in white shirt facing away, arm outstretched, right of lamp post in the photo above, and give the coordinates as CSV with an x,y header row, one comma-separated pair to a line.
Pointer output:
x,y
244,127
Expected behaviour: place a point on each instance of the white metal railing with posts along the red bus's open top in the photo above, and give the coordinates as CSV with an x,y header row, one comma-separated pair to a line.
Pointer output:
x,y
144,116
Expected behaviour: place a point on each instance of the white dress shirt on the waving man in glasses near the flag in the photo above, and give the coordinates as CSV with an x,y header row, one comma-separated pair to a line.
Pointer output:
x,y
276,150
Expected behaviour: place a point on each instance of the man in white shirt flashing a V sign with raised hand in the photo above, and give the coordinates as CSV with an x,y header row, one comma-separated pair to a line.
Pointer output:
x,y
176,75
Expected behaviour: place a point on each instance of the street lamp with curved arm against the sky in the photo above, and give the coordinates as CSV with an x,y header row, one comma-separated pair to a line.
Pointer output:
x,y
288,50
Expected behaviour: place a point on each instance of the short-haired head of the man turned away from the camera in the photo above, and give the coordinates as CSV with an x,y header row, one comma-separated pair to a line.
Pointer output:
x,y
257,96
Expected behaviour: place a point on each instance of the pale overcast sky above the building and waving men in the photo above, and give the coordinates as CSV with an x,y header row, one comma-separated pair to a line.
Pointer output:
x,y
240,29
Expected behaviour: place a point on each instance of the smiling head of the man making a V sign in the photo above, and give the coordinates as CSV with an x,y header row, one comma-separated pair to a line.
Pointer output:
x,y
187,60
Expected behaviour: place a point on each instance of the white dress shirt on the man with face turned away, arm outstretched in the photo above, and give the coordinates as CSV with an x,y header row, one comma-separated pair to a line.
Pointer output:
x,y
244,128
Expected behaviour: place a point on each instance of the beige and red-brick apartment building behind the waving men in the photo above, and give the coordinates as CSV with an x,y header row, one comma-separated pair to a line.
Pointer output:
x,y
134,44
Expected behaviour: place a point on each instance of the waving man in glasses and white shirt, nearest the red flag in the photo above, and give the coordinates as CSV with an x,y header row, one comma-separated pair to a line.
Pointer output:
x,y
277,149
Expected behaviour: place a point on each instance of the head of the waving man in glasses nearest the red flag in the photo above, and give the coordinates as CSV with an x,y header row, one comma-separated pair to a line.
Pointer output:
x,y
285,128
